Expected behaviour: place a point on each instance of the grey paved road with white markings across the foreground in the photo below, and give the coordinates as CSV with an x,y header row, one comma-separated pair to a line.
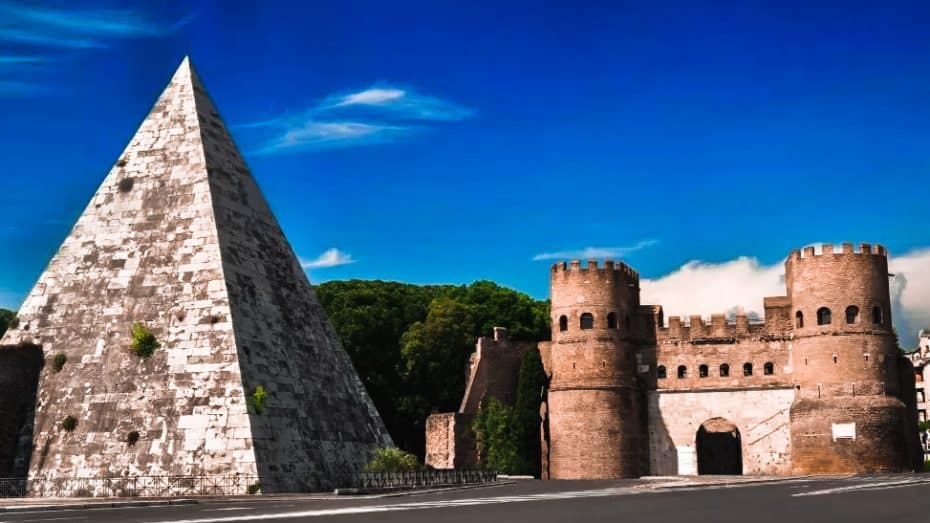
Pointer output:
x,y
891,499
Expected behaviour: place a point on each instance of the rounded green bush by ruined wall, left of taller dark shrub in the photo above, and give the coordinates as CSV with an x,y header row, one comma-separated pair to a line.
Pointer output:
x,y
495,437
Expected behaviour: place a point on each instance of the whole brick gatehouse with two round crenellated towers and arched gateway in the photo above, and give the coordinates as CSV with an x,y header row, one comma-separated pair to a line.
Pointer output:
x,y
816,386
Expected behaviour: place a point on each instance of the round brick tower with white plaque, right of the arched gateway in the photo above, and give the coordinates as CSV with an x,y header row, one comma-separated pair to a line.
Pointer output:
x,y
846,416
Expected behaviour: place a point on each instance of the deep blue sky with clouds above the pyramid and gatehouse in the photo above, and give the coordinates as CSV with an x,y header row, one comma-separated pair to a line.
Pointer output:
x,y
440,142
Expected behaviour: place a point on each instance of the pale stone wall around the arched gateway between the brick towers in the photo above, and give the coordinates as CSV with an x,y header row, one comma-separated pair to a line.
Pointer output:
x,y
761,415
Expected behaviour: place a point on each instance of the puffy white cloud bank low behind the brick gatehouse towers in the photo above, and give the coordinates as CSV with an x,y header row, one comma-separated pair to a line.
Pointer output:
x,y
709,288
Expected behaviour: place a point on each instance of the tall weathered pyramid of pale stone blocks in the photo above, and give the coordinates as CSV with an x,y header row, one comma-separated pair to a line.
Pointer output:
x,y
179,239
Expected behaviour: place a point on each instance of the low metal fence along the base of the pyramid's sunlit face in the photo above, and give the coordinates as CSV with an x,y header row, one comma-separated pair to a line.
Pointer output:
x,y
136,486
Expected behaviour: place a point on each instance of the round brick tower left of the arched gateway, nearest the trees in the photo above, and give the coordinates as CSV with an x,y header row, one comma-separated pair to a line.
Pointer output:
x,y
593,397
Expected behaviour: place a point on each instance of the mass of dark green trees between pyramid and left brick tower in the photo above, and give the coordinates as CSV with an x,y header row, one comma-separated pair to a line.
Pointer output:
x,y
386,327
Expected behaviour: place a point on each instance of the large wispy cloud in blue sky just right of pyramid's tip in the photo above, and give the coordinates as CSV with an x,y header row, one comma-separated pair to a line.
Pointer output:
x,y
369,116
